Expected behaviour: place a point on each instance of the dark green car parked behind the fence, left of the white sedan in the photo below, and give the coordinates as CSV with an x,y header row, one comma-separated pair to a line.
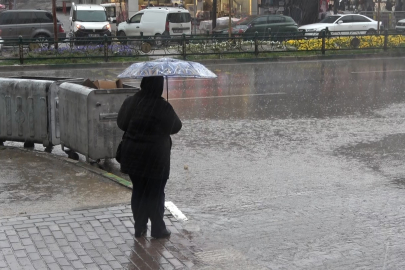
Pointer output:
x,y
264,25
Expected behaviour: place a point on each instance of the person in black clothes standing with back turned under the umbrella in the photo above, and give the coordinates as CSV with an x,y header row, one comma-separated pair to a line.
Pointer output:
x,y
148,121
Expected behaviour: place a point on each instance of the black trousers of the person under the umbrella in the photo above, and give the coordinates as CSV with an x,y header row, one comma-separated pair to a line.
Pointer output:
x,y
148,202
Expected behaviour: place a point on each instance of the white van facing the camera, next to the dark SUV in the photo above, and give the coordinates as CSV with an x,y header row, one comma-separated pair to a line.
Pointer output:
x,y
89,21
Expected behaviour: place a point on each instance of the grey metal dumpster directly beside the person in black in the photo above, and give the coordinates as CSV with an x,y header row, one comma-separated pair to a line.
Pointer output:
x,y
88,119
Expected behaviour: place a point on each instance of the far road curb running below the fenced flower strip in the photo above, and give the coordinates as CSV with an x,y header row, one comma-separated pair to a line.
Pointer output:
x,y
206,61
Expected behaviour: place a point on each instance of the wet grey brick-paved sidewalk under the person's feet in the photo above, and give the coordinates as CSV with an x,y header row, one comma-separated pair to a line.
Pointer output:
x,y
100,238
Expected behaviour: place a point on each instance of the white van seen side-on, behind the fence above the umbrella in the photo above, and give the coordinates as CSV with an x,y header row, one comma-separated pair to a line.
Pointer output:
x,y
158,22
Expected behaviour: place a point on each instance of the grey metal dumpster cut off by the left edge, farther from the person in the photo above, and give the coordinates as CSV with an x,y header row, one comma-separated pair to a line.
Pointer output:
x,y
25,110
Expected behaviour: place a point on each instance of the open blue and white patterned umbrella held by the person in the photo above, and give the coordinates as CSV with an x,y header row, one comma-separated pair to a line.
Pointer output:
x,y
167,67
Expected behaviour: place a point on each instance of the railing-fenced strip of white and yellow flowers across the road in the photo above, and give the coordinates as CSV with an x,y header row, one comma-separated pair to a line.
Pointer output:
x,y
113,48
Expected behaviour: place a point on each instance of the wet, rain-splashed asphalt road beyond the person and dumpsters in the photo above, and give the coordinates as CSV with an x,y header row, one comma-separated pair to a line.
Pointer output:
x,y
294,165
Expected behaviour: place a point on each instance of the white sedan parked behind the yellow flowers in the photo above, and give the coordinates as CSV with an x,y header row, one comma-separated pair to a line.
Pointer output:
x,y
342,24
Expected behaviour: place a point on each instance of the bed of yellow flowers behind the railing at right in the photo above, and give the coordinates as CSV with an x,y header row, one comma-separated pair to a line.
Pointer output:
x,y
346,42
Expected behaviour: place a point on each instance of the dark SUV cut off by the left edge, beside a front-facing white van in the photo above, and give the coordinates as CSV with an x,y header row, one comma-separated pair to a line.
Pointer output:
x,y
30,24
